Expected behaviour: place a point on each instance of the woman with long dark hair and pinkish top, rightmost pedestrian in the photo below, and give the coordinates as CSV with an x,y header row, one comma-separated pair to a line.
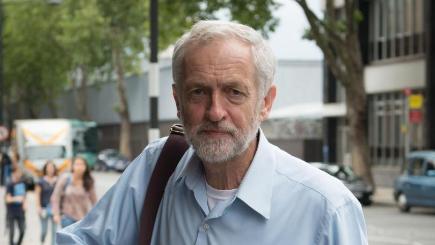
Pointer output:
x,y
74,194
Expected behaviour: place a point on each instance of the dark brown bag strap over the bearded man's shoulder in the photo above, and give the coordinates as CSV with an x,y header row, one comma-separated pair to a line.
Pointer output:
x,y
172,151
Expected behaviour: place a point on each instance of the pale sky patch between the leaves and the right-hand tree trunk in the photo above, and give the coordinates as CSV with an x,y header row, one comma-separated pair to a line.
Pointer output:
x,y
286,41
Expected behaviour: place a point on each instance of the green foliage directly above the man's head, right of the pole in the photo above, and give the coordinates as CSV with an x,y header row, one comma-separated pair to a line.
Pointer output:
x,y
176,16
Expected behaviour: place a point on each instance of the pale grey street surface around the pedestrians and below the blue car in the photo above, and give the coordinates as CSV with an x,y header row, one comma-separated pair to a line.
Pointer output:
x,y
385,224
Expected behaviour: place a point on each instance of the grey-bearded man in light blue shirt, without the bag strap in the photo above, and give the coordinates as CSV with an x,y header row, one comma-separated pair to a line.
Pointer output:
x,y
231,186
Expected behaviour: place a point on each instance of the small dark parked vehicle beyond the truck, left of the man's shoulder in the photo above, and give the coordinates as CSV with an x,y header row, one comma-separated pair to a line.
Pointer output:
x,y
111,159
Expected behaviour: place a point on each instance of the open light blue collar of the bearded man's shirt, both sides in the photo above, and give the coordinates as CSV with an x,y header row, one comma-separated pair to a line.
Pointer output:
x,y
255,189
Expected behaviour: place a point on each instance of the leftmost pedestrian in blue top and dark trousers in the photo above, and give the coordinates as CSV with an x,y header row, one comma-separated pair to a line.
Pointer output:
x,y
16,205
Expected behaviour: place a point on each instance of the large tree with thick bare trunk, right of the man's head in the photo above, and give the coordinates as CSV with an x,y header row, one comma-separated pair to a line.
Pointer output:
x,y
336,34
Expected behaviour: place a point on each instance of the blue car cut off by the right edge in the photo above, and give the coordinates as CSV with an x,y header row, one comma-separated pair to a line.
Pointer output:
x,y
416,185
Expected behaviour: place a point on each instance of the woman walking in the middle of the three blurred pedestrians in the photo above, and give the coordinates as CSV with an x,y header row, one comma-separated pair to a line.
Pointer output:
x,y
43,191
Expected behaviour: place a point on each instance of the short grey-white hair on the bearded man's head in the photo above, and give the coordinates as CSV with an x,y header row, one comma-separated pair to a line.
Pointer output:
x,y
210,30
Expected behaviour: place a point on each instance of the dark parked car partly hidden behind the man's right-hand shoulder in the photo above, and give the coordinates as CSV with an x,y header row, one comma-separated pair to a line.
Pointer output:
x,y
361,190
